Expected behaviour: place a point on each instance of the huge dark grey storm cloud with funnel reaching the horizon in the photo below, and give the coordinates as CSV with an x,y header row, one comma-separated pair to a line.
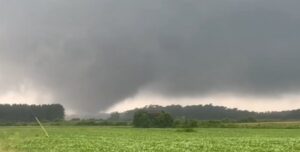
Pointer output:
x,y
93,54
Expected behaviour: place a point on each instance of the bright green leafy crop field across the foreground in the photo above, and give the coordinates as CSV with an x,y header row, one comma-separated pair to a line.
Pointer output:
x,y
126,139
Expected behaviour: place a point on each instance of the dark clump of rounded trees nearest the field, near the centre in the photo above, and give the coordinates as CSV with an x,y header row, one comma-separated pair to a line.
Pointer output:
x,y
145,119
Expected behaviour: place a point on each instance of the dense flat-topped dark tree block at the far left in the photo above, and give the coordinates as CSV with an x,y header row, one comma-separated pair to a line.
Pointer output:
x,y
27,113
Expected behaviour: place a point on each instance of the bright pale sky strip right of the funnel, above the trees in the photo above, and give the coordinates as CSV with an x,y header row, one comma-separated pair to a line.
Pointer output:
x,y
262,104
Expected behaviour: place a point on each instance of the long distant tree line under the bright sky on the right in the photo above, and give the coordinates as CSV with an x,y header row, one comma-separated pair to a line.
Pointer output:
x,y
211,112
